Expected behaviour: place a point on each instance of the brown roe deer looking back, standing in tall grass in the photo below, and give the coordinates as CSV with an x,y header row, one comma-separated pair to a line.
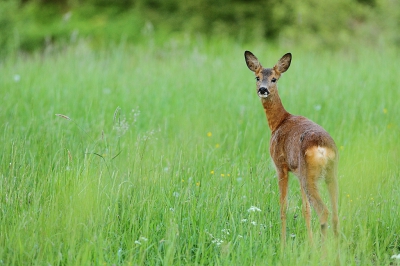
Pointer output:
x,y
297,145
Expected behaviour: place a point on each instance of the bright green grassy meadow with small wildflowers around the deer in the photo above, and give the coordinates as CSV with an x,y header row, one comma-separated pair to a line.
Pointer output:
x,y
157,154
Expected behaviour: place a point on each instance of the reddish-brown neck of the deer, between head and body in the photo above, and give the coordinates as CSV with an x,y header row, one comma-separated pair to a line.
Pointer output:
x,y
274,110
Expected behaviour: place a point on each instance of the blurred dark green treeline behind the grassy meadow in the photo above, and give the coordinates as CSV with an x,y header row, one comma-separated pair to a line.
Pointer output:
x,y
29,25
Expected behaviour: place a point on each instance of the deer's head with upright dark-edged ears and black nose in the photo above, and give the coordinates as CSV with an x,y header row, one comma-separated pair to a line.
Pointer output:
x,y
267,78
